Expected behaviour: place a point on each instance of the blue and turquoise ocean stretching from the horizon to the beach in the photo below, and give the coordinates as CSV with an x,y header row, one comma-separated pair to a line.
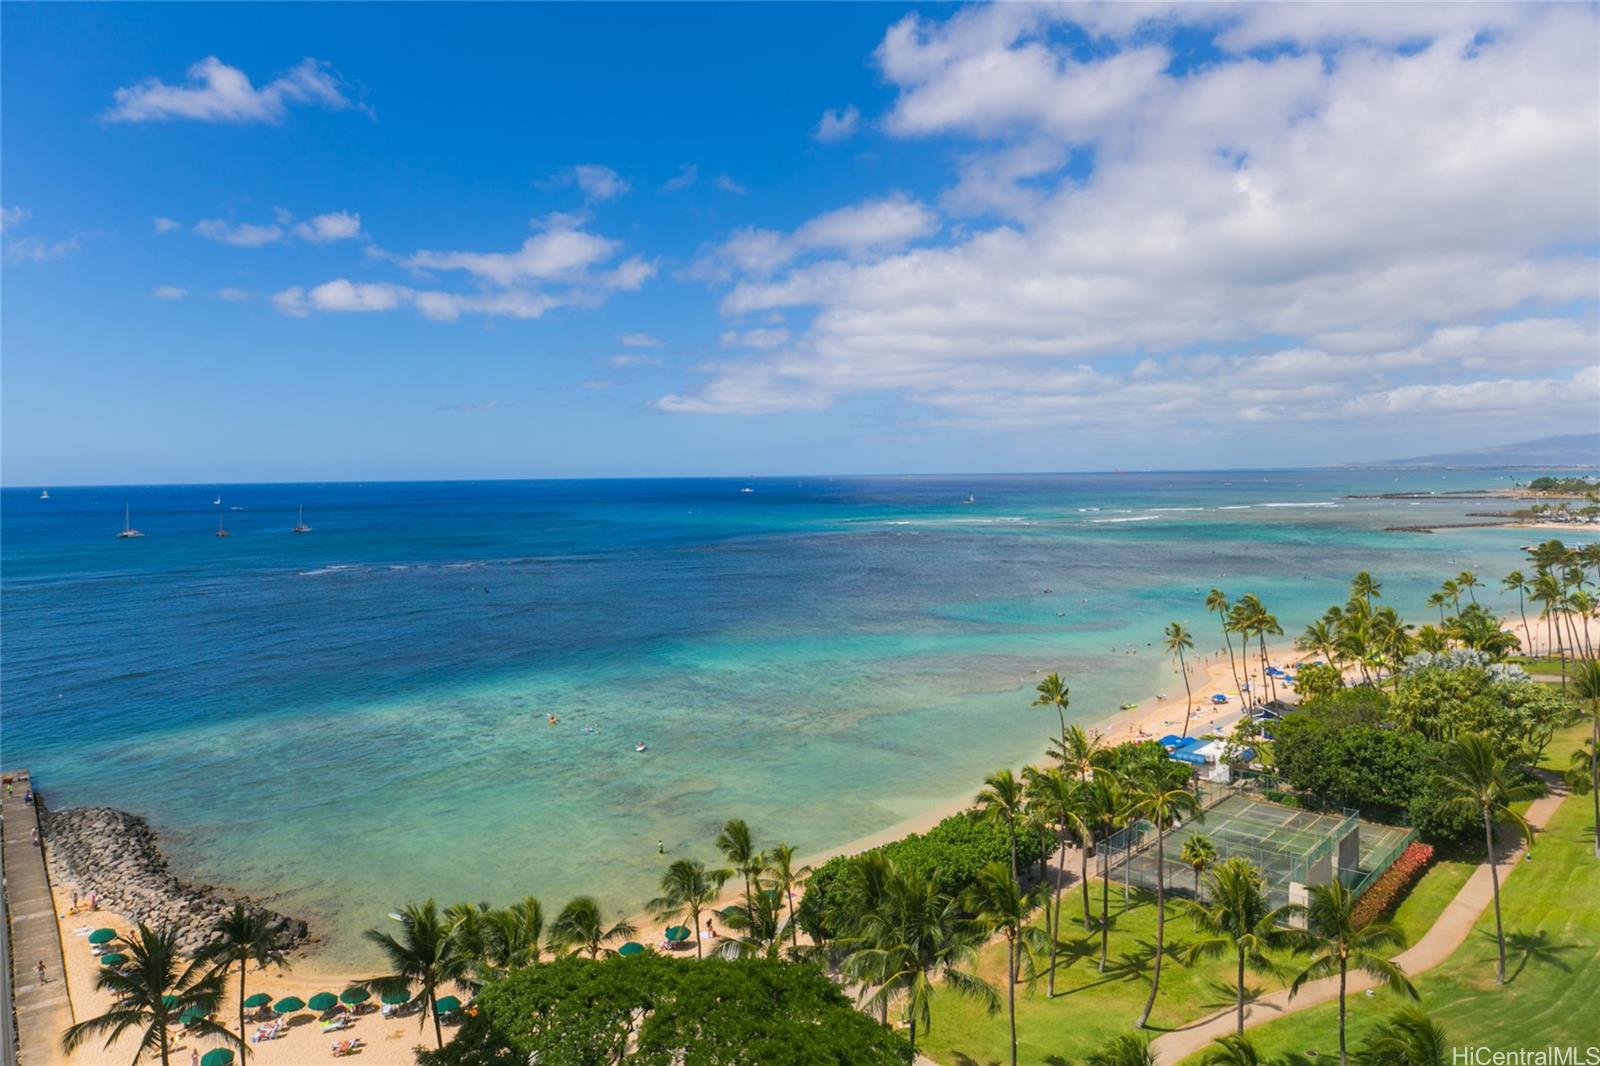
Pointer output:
x,y
356,718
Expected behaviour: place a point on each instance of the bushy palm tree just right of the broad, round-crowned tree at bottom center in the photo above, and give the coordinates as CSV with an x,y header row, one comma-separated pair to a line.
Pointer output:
x,y
911,944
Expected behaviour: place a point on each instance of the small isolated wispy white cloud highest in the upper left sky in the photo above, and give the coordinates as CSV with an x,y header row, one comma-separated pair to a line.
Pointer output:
x,y
217,92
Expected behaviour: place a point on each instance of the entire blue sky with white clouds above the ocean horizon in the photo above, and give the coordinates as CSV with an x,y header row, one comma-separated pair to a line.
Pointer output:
x,y
353,242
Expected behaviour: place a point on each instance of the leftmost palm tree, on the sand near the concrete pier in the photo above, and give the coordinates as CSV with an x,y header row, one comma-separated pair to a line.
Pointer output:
x,y
153,993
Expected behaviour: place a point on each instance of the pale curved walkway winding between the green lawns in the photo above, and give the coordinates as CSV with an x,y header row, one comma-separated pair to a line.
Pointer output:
x,y
1441,942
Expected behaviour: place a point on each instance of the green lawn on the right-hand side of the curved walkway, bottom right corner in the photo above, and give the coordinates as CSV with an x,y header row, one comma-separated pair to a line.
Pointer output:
x,y
1553,992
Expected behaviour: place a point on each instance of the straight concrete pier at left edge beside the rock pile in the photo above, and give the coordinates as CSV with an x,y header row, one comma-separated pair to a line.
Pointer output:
x,y
42,1009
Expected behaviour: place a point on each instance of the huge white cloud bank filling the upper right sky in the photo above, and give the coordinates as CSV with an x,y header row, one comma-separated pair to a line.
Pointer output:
x,y
1337,226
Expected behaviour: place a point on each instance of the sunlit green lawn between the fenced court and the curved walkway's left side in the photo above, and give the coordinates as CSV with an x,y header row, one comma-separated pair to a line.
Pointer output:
x,y
1090,1008
